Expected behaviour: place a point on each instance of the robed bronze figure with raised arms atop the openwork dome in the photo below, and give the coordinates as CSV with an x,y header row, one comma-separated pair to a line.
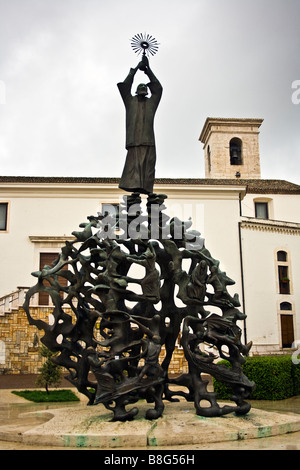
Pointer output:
x,y
139,170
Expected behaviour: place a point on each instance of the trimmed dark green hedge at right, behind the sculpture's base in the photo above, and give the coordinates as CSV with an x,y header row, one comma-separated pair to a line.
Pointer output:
x,y
276,378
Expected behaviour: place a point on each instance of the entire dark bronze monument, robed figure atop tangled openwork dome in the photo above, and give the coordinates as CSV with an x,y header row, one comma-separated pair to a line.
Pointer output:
x,y
137,317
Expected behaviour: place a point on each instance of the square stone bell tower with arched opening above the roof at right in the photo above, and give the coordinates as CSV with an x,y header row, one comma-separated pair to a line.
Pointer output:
x,y
231,148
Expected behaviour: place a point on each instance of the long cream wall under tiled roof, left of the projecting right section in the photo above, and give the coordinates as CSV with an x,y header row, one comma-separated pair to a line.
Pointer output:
x,y
43,213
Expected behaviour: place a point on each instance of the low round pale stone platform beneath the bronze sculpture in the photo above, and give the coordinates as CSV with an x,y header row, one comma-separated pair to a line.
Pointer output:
x,y
91,426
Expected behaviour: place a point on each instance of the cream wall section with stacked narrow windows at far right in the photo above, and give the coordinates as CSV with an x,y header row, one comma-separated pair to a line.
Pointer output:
x,y
264,302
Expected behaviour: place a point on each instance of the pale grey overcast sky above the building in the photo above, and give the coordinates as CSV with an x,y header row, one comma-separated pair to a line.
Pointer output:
x,y
60,60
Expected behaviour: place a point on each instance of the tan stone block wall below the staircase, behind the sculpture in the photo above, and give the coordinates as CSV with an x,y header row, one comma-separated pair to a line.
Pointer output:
x,y
19,341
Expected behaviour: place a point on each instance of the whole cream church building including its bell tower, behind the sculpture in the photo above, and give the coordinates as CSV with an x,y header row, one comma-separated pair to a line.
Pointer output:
x,y
251,225
